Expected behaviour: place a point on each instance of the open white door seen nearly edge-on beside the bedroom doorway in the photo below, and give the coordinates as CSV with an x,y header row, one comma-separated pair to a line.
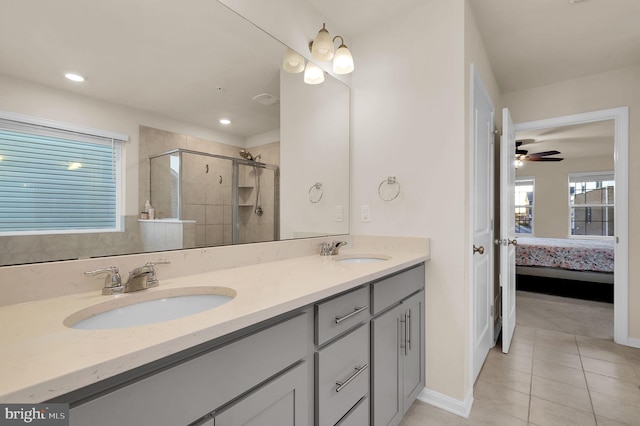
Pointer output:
x,y
507,229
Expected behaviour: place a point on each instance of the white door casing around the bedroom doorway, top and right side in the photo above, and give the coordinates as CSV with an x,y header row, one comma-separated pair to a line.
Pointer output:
x,y
620,117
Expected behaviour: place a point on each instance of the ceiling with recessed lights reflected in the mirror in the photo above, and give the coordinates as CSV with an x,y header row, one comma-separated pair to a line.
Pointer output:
x,y
196,64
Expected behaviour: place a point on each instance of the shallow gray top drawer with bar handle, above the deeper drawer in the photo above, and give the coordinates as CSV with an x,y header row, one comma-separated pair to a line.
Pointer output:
x,y
338,315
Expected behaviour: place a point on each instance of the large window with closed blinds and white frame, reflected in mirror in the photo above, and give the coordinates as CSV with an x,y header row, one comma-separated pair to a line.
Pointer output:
x,y
57,178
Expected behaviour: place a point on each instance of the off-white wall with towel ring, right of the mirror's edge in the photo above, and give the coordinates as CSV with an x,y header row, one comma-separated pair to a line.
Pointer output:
x,y
408,121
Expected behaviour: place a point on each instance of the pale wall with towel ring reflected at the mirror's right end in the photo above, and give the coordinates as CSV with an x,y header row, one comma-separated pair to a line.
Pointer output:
x,y
314,127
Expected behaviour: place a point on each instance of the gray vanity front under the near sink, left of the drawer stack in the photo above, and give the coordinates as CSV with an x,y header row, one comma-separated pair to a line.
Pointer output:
x,y
270,364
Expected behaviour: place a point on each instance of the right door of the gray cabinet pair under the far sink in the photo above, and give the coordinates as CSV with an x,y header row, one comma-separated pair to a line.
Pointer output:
x,y
413,356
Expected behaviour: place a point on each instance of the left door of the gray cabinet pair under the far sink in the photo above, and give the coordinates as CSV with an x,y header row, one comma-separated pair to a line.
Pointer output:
x,y
385,373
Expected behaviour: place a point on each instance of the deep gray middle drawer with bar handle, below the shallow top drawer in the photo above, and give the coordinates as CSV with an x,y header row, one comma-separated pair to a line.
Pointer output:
x,y
342,375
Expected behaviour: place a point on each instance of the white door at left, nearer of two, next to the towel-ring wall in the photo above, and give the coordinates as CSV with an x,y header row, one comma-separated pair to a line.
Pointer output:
x,y
482,218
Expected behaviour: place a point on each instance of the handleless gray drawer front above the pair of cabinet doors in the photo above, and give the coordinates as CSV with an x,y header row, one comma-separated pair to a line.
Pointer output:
x,y
388,291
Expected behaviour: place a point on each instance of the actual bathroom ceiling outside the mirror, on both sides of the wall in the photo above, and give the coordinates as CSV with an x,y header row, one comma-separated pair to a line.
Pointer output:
x,y
529,42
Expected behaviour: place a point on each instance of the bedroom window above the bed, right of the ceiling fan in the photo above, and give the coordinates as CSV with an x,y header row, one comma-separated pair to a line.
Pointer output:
x,y
591,202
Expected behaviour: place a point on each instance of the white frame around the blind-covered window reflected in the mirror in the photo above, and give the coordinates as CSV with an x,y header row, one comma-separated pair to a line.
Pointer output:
x,y
116,140
